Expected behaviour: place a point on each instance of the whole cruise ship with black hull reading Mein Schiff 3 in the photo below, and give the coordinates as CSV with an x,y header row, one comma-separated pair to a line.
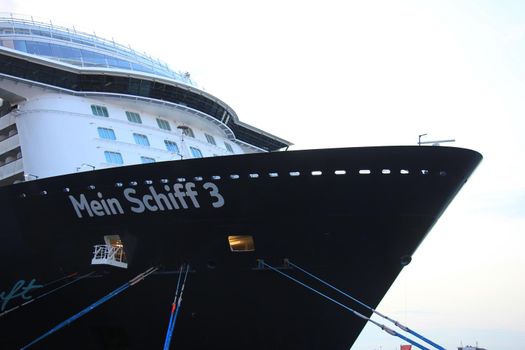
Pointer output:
x,y
122,181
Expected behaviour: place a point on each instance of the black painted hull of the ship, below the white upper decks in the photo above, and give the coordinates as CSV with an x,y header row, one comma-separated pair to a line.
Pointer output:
x,y
351,229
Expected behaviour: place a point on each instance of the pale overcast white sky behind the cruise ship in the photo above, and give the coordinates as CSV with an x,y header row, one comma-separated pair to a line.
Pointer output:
x,y
356,73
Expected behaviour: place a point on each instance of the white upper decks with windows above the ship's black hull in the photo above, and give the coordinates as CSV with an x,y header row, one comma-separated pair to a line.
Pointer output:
x,y
73,102
